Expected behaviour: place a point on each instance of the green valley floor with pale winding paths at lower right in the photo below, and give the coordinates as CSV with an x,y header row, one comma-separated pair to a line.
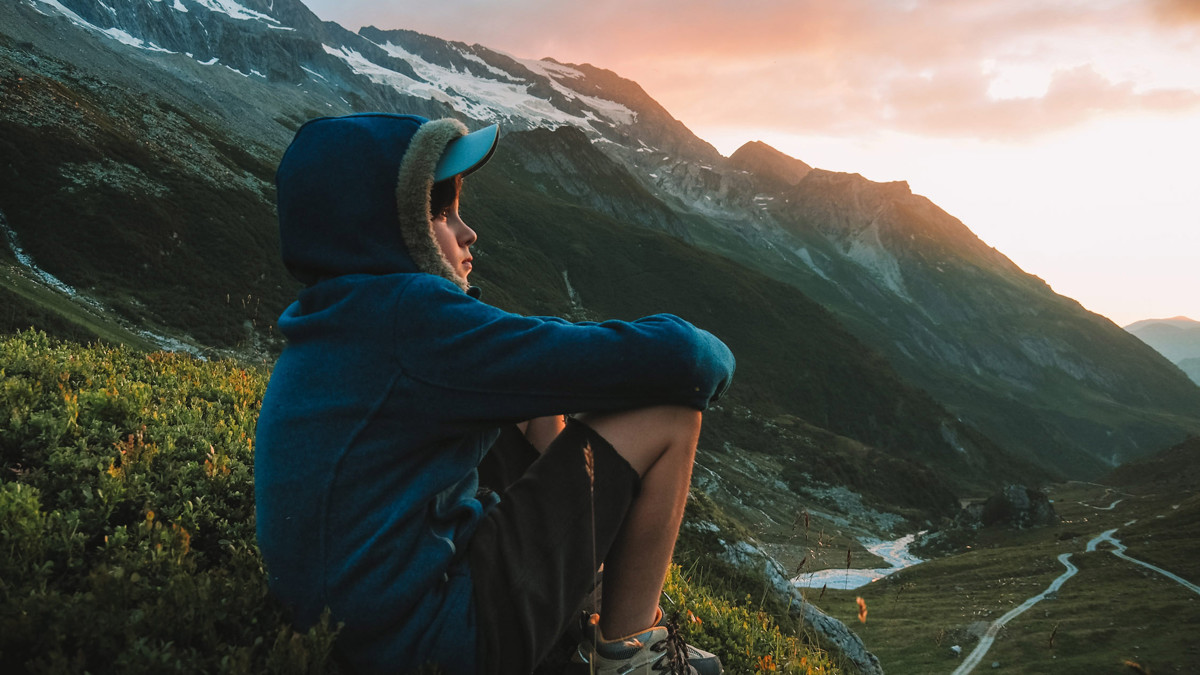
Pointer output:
x,y
1112,617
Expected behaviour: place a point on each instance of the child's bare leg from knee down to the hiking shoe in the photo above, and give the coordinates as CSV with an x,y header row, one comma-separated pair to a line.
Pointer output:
x,y
661,445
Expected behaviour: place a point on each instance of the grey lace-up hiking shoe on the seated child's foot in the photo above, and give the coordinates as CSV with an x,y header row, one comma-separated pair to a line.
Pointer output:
x,y
647,653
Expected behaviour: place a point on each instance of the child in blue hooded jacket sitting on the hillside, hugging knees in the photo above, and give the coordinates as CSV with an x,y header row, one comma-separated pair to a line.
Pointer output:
x,y
398,384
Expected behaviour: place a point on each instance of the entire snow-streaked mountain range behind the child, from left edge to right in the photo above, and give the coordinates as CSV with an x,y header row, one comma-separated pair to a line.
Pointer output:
x,y
139,141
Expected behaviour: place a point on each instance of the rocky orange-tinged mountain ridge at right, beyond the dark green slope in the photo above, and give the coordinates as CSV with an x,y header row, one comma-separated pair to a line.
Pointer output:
x,y
961,320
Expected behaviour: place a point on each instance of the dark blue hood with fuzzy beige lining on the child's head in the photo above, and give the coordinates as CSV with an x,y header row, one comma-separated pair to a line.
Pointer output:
x,y
355,196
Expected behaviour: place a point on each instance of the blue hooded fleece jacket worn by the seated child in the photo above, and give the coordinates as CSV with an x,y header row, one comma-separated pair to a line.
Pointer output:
x,y
395,384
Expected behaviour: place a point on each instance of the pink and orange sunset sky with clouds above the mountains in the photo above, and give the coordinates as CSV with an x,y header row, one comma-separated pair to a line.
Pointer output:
x,y
856,67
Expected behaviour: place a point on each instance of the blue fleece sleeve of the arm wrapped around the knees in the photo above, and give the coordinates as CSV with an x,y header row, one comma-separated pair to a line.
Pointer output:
x,y
482,363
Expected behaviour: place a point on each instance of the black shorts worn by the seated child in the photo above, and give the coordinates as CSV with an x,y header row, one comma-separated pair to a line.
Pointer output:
x,y
536,555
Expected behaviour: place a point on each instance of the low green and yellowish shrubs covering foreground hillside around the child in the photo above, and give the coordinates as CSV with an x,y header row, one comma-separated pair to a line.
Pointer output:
x,y
128,527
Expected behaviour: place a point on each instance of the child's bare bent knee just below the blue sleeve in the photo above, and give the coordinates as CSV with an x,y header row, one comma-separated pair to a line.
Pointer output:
x,y
645,435
